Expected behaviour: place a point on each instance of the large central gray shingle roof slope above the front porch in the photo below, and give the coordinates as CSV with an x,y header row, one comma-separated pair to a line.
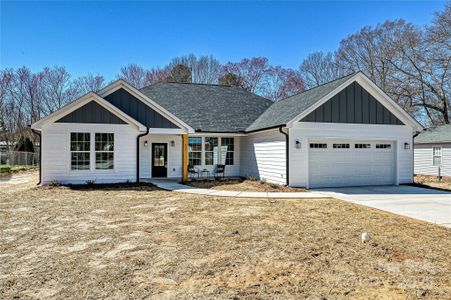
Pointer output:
x,y
213,108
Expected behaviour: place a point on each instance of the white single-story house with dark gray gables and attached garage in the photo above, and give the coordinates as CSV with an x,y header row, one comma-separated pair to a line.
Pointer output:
x,y
347,132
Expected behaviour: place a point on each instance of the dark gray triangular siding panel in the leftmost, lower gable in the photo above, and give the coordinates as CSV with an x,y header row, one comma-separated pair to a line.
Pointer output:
x,y
92,112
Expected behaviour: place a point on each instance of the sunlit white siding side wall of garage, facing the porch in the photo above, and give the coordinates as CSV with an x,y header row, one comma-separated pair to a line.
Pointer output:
x,y
263,155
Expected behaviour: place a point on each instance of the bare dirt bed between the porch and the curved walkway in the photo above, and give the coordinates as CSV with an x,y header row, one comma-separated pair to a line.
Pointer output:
x,y
242,185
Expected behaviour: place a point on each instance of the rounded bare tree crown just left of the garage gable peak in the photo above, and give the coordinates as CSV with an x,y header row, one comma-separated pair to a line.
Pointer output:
x,y
318,68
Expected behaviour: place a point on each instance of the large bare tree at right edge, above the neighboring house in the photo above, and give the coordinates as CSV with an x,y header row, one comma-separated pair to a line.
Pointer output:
x,y
423,68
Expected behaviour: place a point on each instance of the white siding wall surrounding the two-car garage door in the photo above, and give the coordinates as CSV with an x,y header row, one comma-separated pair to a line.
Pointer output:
x,y
306,132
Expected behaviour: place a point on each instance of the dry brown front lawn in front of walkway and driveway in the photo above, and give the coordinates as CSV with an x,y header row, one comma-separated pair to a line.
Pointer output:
x,y
121,242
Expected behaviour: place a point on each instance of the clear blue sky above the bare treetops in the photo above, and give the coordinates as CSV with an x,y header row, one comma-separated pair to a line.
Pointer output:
x,y
100,37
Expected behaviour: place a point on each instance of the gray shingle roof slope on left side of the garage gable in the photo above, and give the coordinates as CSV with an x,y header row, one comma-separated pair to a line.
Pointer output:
x,y
285,110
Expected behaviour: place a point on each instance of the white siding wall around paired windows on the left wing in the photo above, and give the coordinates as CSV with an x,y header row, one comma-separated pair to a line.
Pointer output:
x,y
56,154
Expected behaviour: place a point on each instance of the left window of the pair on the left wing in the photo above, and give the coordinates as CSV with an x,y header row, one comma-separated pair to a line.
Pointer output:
x,y
79,150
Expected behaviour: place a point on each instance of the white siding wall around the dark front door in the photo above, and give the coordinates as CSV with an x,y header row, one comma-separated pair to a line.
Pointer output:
x,y
174,154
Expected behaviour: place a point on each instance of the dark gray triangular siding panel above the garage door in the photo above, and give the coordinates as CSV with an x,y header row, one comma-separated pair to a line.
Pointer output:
x,y
353,105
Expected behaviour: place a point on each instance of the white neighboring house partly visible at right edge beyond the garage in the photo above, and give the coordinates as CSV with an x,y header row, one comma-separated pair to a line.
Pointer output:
x,y
433,151
